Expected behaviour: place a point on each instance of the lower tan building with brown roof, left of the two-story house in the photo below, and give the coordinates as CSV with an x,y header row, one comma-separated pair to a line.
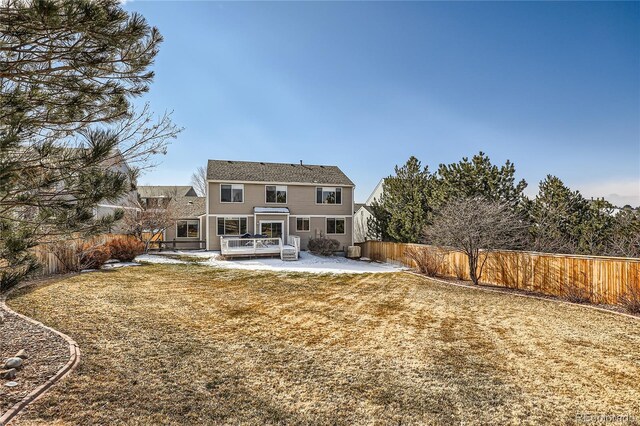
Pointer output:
x,y
187,208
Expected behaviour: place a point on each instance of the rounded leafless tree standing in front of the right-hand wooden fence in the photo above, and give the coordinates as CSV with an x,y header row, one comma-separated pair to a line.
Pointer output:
x,y
476,227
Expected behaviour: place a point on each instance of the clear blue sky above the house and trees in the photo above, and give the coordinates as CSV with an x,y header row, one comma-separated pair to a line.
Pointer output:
x,y
554,87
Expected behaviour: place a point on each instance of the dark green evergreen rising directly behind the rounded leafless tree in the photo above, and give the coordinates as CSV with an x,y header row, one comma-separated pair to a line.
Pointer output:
x,y
478,177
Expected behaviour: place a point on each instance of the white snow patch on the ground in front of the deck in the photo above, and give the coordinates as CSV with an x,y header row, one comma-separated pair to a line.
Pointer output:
x,y
306,263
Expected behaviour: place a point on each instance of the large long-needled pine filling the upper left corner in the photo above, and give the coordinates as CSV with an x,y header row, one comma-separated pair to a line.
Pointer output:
x,y
68,71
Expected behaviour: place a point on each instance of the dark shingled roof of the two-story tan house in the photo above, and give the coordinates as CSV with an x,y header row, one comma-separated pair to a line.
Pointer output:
x,y
249,171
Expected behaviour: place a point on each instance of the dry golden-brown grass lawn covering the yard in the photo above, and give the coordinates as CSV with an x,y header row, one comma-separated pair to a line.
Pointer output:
x,y
187,344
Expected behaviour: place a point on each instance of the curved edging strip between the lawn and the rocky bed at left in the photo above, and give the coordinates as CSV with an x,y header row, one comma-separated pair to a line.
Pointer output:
x,y
74,360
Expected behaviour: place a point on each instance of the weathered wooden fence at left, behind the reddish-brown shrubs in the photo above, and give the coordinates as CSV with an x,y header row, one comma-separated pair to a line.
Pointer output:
x,y
55,258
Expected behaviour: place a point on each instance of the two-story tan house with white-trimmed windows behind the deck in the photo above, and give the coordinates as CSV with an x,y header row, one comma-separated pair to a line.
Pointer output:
x,y
278,200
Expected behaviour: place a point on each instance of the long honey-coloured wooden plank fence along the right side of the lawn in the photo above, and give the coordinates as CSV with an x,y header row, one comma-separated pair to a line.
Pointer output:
x,y
601,279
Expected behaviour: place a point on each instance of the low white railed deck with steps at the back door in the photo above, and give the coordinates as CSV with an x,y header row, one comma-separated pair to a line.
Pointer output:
x,y
250,247
